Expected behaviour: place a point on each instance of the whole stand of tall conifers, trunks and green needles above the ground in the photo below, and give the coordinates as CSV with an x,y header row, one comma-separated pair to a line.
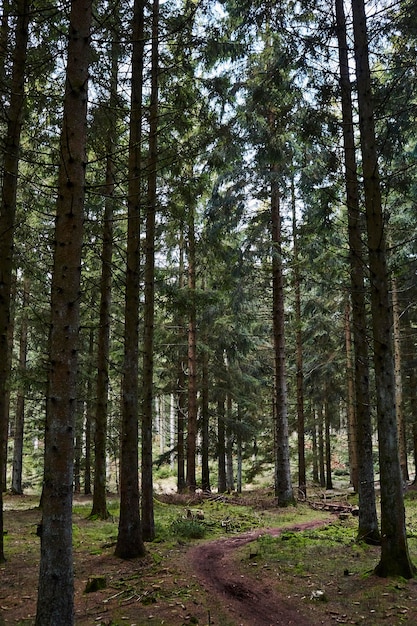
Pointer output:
x,y
207,260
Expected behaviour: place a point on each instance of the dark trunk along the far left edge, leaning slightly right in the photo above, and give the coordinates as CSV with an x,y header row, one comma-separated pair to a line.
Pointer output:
x,y
7,225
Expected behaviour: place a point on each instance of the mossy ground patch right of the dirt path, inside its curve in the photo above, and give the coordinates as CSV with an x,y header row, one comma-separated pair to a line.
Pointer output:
x,y
330,576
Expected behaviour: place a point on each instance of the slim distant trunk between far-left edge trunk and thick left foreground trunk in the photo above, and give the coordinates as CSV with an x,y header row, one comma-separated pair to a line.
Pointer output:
x,y
20,402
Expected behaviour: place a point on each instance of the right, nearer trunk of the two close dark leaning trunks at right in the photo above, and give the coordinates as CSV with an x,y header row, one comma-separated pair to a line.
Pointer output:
x,y
395,559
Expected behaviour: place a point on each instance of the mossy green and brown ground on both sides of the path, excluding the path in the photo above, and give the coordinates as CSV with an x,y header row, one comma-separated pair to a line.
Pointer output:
x,y
324,571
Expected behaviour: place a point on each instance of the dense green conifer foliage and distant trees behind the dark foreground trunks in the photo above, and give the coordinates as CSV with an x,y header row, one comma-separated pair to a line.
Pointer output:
x,y
223,73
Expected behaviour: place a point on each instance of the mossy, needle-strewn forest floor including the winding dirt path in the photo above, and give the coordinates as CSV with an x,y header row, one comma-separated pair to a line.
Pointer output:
x,y
231,580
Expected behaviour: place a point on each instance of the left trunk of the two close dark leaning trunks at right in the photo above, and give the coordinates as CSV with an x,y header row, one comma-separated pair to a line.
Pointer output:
x,y
368,521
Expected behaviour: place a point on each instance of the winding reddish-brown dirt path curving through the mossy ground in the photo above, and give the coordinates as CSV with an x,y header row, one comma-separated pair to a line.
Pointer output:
x,y
250,602
